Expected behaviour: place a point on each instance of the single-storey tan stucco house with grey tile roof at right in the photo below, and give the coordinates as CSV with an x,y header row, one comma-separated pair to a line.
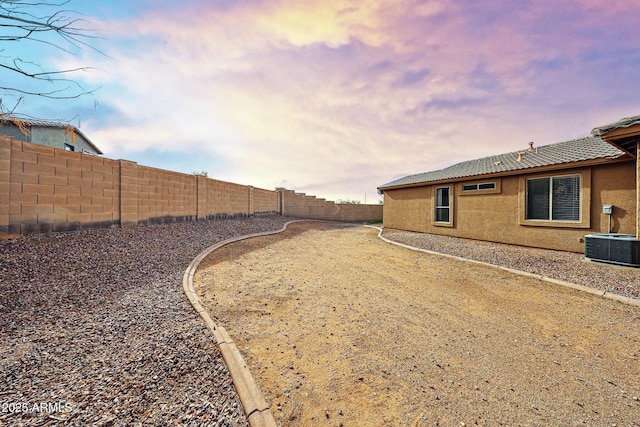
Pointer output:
x,y
549,196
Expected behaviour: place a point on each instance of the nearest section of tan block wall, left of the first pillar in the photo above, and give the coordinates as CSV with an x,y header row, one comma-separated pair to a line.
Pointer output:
x,y
55,190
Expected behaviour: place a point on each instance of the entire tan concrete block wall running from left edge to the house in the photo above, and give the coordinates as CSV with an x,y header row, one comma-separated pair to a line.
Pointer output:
x,y
45,189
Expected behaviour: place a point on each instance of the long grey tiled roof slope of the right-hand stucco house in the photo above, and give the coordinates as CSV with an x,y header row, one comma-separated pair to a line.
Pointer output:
x,y
576,150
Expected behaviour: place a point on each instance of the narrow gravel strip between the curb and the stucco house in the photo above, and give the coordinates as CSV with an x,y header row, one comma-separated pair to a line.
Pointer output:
x,y
567,266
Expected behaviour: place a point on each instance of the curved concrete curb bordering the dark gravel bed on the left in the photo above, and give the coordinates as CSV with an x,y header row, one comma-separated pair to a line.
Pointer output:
x,y
255,407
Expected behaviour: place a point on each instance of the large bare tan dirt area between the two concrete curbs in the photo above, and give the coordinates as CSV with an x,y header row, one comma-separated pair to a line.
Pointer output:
x,y
341,328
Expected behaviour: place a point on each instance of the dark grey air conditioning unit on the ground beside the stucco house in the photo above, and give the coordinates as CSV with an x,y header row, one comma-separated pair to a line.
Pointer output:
x,y
623,249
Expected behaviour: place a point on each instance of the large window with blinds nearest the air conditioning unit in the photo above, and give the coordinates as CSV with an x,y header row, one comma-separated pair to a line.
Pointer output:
x,y
554,198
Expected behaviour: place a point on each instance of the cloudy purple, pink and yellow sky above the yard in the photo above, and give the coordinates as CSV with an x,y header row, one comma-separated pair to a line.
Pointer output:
x,y
335,98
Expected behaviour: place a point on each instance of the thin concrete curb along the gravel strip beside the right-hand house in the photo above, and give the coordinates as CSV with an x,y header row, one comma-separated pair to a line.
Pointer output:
x,y
604,294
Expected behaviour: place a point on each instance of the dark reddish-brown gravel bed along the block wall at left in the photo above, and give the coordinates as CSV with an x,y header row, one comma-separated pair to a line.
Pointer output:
x,y
95,329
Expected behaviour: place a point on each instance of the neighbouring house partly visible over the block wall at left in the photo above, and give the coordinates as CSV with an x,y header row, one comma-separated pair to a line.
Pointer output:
x,y
51,134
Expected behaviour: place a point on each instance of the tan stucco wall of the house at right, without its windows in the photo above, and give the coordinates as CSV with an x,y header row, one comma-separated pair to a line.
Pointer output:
x,y
498,216
